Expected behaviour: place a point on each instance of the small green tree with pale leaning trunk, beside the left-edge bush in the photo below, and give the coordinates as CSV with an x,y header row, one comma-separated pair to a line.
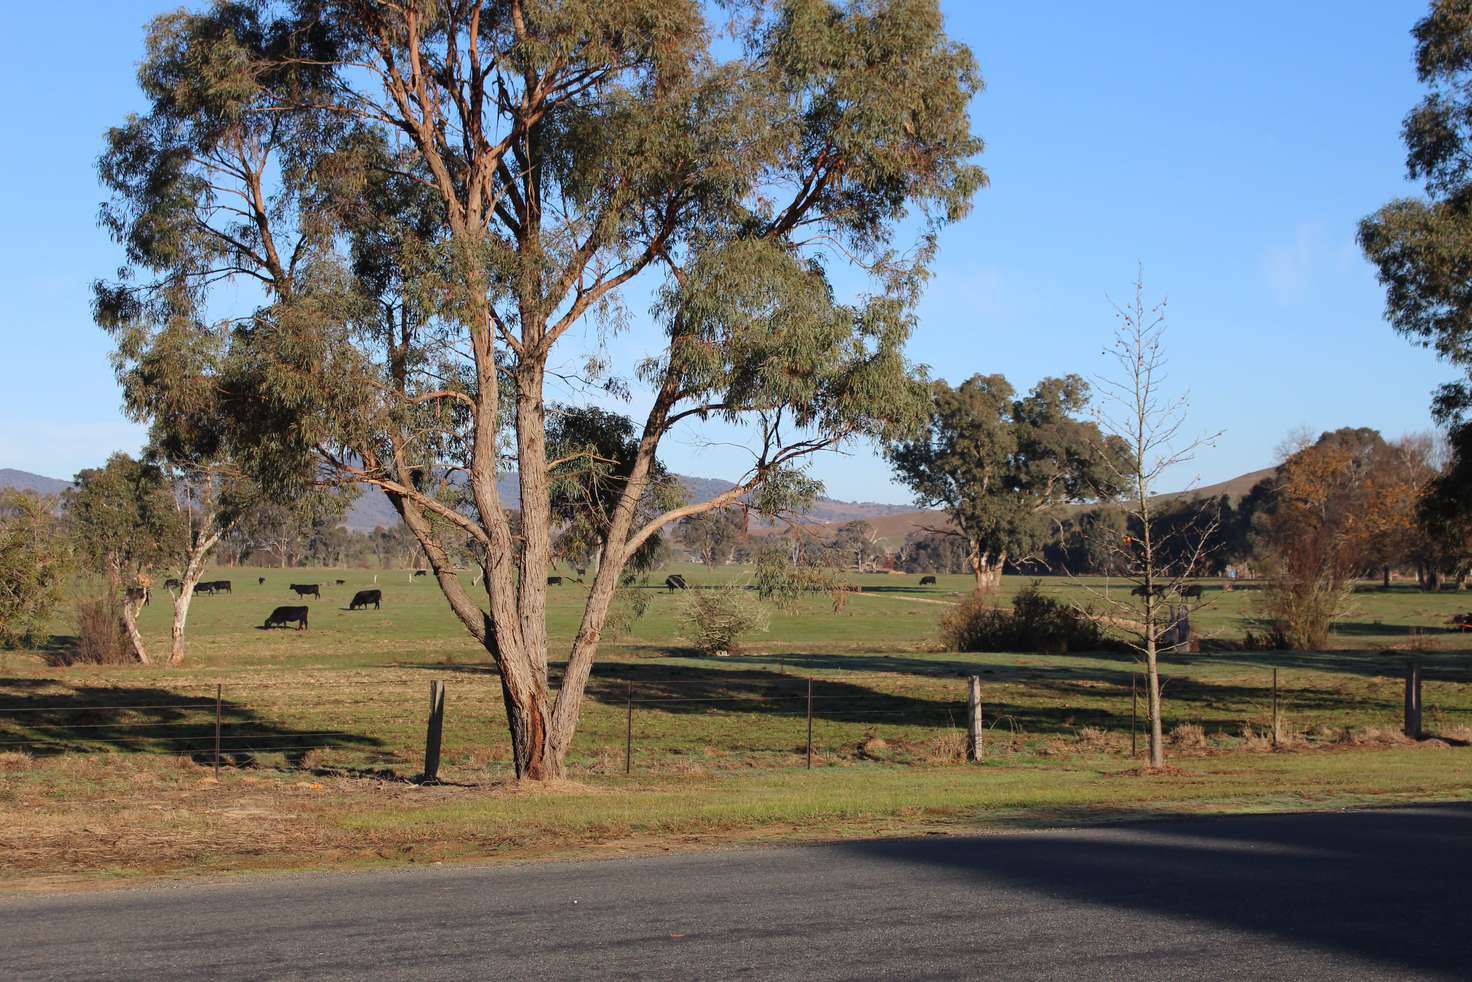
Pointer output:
x,y
124,519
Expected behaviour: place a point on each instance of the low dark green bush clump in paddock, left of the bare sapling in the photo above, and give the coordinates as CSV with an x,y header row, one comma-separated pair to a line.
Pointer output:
x,y
1034,624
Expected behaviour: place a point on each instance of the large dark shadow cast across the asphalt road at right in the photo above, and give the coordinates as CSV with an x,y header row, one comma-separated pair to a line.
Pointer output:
x,y
1365,886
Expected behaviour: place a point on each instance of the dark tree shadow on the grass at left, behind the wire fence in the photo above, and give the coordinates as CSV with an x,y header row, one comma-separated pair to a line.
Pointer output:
x,y
58,718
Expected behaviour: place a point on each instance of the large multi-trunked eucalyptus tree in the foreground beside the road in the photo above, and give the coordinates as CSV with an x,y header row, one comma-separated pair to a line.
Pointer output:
x,y
441,207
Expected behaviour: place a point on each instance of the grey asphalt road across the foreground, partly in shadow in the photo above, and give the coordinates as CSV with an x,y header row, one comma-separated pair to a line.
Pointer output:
x,y
1340,896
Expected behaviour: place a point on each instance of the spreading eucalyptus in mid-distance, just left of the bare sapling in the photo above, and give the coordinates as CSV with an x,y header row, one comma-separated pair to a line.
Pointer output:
x,y
1005,466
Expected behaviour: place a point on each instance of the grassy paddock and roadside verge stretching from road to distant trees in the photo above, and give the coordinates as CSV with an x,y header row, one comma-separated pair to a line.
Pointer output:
x,y
107,771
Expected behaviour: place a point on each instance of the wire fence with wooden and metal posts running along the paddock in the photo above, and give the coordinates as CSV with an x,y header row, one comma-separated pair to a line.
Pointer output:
x,y
648,722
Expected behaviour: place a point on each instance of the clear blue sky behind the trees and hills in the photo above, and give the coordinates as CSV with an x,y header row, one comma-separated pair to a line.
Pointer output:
x,y
1230,149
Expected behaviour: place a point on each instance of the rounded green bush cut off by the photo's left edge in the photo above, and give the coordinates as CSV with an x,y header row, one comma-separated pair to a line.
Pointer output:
x,y
36,563
